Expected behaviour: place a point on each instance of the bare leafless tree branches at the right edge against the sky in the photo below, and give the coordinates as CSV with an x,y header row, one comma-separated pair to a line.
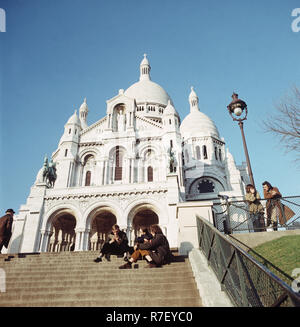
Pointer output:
x,y
285,123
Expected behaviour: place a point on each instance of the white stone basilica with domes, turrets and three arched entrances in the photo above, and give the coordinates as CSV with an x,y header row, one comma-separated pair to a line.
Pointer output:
x,y
132,167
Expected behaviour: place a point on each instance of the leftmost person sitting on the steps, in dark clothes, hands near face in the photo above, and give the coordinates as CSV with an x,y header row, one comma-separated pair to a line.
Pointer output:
x,y
117,244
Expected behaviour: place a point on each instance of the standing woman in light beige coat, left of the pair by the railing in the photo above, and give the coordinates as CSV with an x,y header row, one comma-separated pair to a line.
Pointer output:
x,y
255,208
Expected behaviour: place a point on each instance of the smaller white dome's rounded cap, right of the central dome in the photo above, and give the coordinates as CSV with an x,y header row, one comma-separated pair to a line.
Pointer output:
x,y
197,123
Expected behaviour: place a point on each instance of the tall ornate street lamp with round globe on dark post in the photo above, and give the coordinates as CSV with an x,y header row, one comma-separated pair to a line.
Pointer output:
x,y
238,111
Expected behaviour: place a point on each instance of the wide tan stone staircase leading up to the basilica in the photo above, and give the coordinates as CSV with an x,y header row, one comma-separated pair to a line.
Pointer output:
x,y
73,279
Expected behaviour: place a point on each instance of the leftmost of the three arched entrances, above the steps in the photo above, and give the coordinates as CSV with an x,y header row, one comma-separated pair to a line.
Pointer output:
x,y
62,233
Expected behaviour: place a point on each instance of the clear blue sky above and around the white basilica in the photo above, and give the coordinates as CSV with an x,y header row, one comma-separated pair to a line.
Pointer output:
x,y
55,53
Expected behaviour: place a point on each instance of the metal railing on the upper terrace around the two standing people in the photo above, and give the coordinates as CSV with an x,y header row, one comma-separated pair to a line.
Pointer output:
x,y
235,216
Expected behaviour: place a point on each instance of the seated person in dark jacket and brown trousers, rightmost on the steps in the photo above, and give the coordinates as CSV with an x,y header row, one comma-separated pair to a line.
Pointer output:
x,y
156,251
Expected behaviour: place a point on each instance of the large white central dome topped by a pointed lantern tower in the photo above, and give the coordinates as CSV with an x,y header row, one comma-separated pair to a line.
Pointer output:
x,y
145,90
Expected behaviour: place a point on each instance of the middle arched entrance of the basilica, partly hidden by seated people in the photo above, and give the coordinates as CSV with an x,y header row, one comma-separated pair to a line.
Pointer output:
x,y
101,224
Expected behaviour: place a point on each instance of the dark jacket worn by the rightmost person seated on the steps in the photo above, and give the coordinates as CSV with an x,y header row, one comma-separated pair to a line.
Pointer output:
x,y
159,249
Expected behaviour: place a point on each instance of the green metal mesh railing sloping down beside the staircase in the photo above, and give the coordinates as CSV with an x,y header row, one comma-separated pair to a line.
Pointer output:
x,y
246,281
